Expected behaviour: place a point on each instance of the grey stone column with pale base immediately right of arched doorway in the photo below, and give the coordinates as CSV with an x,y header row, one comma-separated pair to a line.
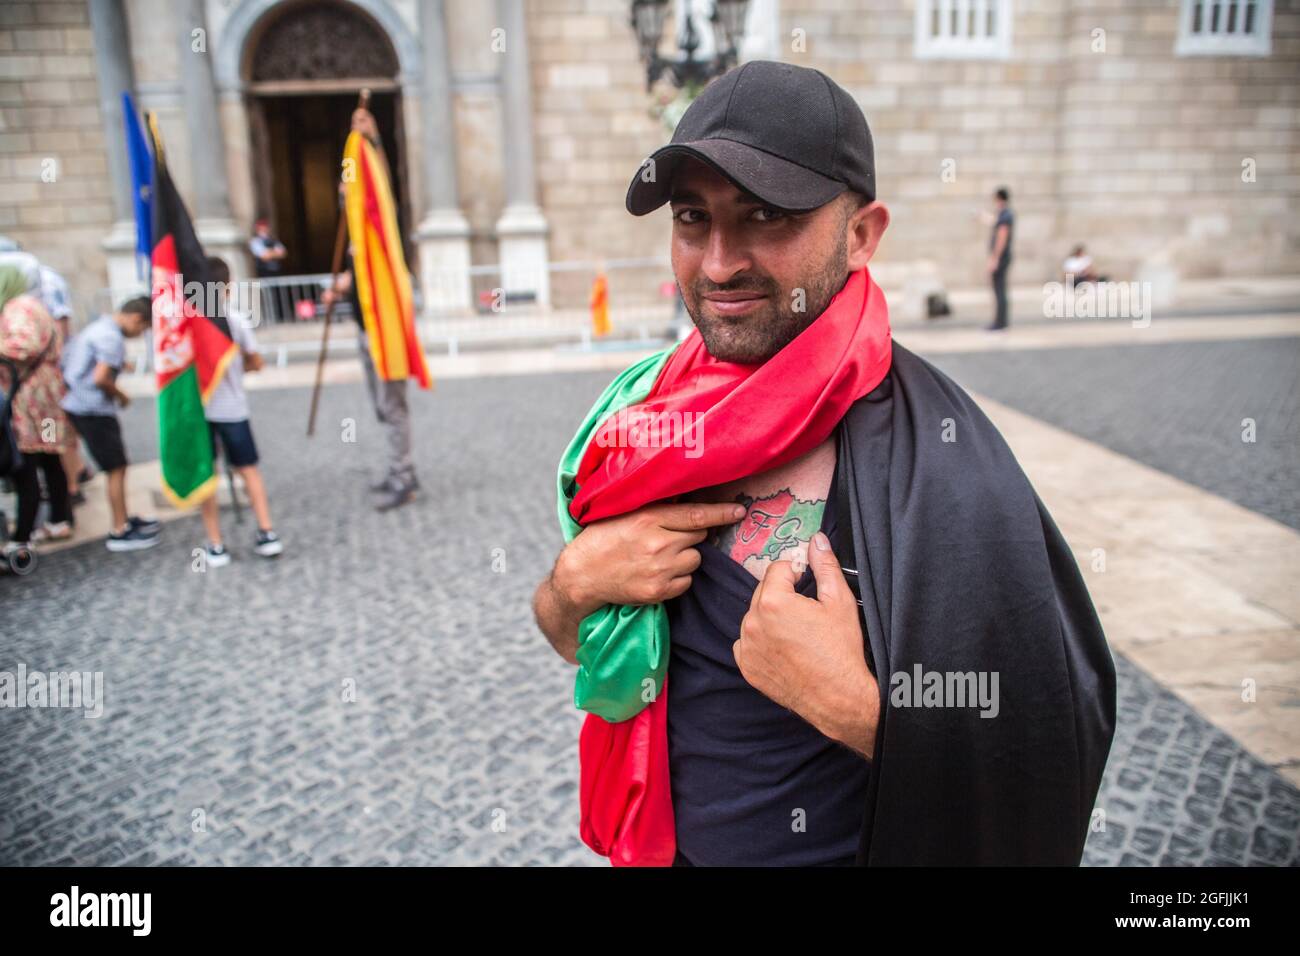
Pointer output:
x,y
444,233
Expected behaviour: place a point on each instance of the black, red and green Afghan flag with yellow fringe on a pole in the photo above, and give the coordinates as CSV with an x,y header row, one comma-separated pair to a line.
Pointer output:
x,y
192,349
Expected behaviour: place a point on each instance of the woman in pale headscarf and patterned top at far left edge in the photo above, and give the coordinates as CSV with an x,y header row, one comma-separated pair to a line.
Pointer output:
x,y
31,339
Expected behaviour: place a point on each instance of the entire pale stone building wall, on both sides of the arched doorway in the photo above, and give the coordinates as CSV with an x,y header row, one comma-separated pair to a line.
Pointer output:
x,y
1129,148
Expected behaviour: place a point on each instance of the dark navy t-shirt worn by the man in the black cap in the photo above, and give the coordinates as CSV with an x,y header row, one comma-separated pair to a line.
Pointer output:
x,y
752,782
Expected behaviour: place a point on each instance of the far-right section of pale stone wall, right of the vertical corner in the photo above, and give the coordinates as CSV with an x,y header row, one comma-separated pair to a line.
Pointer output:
x,y
1154,145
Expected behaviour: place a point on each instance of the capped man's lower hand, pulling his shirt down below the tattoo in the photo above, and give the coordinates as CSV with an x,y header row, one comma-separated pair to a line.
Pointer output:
x,y
808,655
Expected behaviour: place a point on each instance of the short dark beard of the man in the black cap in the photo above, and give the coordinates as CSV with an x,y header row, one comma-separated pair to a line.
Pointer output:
x,y
755,339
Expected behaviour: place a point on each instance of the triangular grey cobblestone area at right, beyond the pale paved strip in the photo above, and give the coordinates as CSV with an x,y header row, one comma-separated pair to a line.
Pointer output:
x,y
1176,408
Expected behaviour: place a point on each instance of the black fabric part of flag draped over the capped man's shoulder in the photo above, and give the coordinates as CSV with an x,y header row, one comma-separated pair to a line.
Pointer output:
x,y
963,572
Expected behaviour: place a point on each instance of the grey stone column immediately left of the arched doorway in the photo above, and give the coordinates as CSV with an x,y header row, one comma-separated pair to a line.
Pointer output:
x,y
211,201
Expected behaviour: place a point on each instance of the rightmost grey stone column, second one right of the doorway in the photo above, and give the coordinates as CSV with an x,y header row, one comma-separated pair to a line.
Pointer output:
x,y
522,228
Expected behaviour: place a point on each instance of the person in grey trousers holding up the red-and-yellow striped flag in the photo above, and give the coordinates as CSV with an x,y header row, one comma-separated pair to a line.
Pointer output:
x,y
398,485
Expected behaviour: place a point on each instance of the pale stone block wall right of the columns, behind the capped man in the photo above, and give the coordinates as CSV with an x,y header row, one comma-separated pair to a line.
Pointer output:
x,y
1132,149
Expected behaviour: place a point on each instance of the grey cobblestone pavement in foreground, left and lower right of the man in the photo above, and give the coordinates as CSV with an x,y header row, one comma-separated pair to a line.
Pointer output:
x,y
227,738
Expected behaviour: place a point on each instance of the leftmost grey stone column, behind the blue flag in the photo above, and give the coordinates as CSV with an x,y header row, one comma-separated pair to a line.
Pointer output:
x,y
114,71
